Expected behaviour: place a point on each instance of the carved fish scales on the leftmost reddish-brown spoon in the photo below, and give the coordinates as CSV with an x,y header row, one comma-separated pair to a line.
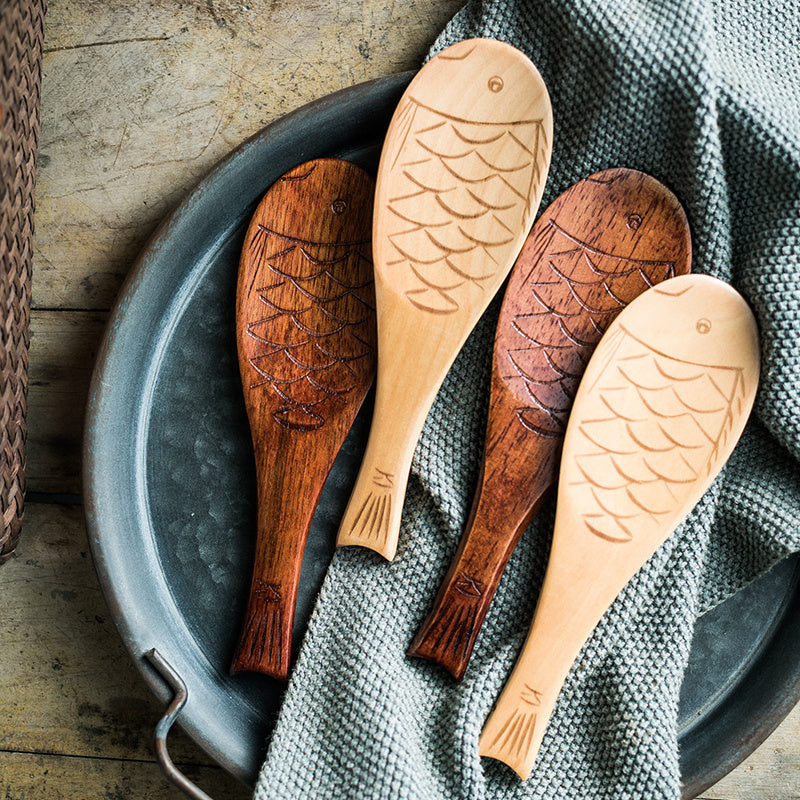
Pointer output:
x,y
316,327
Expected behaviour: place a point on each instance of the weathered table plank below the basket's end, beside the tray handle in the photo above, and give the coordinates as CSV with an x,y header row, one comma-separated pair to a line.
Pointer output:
x,y
67,685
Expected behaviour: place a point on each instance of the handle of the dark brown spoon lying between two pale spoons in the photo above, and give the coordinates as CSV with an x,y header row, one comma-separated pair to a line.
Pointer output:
x,y
449,633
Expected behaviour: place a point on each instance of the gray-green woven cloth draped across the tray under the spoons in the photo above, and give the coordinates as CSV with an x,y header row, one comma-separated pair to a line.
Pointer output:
x,y
703,94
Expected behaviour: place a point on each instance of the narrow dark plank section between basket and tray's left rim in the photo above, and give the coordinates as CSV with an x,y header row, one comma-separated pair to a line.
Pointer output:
x,y
62,353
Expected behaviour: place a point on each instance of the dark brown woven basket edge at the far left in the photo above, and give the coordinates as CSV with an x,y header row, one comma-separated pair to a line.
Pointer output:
x,y
21,33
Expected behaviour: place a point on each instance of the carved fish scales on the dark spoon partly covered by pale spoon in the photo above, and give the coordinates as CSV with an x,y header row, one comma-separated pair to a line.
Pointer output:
x,y
572,284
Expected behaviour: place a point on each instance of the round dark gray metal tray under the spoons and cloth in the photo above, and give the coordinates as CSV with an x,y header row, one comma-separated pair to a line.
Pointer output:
x,y
169,489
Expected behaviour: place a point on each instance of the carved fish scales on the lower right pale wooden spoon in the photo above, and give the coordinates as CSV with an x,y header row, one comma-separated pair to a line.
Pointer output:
x,y
627,455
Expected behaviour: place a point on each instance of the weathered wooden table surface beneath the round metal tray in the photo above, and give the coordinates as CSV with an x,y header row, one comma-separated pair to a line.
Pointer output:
x,y
139,100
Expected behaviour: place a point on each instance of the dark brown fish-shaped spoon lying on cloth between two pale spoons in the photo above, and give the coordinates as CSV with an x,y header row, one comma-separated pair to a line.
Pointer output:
x,y
597,246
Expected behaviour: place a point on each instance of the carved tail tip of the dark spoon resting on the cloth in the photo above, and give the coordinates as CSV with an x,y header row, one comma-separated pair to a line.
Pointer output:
x,y
448,635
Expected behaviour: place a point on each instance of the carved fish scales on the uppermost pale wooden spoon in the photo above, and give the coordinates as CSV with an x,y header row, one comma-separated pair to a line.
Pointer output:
x,y
448,229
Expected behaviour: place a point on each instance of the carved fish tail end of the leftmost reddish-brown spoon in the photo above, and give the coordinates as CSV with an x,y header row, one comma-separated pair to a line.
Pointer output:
x,y
266,640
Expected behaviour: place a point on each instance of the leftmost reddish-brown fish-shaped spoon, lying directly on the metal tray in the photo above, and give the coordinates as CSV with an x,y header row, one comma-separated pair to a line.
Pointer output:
x,y
305,330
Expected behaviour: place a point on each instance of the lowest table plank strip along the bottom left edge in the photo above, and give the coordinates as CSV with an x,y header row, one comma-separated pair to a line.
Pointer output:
x,y
26,776
